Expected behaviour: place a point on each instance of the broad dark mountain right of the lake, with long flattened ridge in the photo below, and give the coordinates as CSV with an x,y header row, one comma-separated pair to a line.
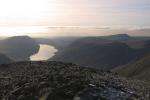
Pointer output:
x,y
102,53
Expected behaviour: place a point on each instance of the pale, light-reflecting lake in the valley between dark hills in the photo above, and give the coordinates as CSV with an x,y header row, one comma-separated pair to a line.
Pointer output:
x,y
45,52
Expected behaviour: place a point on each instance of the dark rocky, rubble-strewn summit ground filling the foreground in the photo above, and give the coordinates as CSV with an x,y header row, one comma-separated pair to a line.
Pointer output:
x,y
65,81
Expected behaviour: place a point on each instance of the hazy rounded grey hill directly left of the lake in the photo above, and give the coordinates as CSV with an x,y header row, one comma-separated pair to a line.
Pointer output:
x,y
19,47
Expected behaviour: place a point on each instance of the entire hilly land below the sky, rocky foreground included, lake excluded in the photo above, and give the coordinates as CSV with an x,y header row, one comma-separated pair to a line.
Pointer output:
x,y
102,63
